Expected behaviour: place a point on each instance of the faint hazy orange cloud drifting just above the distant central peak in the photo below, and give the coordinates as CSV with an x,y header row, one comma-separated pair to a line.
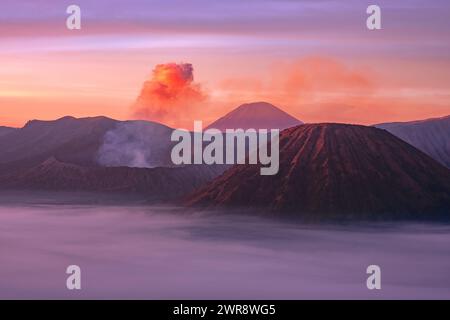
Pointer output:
x,y
305,80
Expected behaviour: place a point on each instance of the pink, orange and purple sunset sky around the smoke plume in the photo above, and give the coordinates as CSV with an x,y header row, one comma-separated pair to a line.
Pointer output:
x,y
314,59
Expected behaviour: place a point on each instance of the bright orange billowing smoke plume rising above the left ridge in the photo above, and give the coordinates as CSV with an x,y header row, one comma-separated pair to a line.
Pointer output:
x,y
170,95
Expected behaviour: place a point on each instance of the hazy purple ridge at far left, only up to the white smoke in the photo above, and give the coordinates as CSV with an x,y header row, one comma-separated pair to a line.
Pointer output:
x,y
69,139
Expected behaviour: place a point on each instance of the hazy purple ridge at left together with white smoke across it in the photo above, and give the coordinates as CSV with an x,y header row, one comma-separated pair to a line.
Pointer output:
x,y
84,141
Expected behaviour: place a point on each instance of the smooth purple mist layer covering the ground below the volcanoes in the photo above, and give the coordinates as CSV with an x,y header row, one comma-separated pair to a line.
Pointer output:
x,y
162,253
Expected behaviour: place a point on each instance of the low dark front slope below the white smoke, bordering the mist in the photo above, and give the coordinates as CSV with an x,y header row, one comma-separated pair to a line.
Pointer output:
x,y
155,183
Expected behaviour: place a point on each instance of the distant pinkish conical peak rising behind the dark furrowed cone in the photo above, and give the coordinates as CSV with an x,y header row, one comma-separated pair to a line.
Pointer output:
x,y
258,115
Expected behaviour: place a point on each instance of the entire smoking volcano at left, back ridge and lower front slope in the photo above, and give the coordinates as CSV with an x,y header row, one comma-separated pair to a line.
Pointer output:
x,y
97,154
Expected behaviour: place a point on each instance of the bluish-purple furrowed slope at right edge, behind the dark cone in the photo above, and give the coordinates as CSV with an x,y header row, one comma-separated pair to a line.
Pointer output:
x,y
432,136
